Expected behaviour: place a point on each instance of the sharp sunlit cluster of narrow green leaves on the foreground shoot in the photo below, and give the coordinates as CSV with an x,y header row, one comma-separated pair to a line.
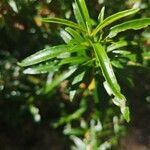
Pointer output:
x,y
86,50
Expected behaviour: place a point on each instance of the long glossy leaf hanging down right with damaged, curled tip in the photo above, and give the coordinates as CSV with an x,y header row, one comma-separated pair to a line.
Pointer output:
x,y
110,78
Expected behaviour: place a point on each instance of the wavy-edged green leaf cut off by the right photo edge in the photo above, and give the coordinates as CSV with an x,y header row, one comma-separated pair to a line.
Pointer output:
x,y
133,24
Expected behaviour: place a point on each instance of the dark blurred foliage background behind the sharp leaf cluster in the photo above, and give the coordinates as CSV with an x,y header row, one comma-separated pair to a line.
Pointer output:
x,y
30,119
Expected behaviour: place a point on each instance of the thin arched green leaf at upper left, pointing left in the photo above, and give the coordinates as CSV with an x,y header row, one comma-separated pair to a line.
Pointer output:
x,y
64,22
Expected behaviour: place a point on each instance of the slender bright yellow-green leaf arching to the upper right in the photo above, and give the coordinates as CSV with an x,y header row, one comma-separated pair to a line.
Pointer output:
x,y
112,19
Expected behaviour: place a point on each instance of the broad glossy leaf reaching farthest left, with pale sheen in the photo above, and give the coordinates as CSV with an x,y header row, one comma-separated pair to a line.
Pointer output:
x,y
49,53
